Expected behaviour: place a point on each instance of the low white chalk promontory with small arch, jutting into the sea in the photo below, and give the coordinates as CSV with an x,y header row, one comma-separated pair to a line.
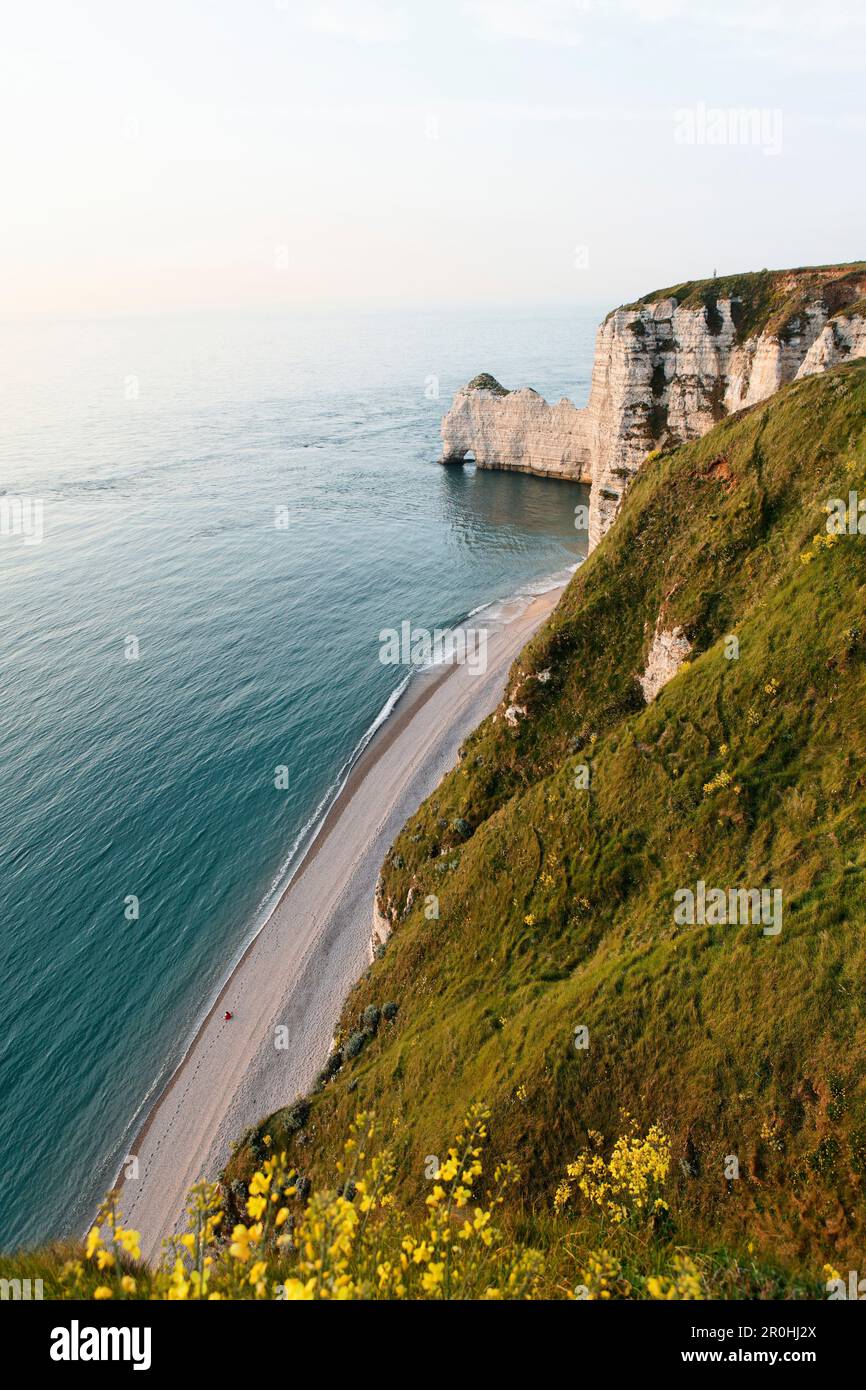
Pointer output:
x,y
515,430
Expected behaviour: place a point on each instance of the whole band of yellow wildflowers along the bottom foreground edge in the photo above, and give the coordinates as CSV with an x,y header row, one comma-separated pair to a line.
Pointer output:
x,y
355,1242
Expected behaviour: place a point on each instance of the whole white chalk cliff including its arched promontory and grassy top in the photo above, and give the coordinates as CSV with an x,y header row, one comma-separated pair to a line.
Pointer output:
x,y
667,370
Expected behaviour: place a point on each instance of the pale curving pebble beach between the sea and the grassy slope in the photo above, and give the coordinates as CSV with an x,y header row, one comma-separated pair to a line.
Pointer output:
x,y
315,942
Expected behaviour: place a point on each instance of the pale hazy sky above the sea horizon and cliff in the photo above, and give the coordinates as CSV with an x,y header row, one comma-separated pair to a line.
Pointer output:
x,y
272,155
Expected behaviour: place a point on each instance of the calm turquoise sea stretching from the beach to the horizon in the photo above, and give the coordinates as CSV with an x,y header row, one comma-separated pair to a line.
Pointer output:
x,y
161,451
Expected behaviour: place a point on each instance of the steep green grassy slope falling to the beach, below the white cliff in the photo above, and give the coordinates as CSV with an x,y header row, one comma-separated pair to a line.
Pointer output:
x,y
557,911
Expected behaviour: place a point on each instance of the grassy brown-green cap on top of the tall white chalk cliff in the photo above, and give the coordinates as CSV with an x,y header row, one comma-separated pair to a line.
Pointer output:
x,y
768,301
